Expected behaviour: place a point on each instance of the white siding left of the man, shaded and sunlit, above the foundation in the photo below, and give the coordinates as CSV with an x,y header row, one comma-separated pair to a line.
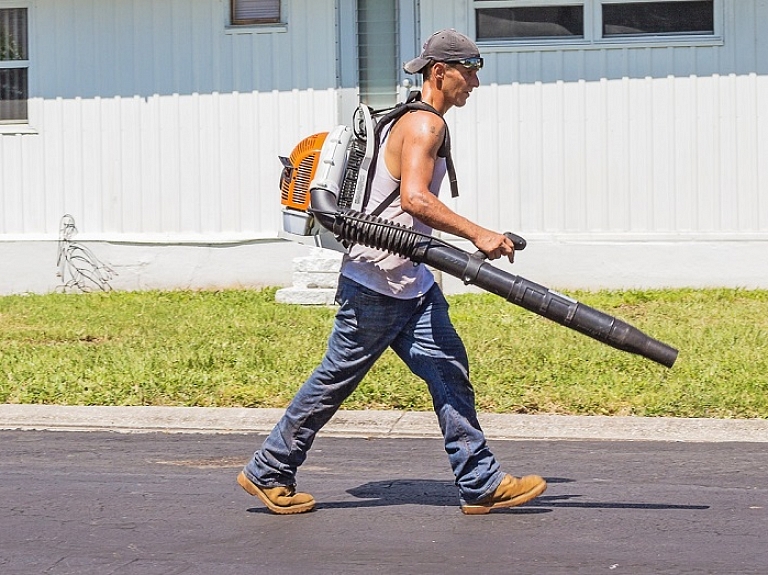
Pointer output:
x,y
153,120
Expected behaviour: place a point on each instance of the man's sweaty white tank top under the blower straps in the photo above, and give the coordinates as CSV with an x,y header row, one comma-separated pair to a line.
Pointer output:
x,y
381,271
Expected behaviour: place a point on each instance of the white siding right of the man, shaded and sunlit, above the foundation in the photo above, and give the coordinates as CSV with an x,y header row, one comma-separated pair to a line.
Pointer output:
x,y
647,142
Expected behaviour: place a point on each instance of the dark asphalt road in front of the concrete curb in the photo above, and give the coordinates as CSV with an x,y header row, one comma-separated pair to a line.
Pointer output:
x,y
106,503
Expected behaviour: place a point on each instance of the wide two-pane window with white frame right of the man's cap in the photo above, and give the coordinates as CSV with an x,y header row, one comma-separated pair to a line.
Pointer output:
x,y
594,21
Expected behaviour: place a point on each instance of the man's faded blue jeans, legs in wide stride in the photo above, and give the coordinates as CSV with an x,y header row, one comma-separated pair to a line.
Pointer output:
x,y
421,333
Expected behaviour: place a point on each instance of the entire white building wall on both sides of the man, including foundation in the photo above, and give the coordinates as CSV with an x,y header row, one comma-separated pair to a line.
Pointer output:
x,y
158,129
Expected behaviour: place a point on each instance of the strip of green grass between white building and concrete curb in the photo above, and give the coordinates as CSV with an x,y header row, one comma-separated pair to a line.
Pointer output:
x,y
240,348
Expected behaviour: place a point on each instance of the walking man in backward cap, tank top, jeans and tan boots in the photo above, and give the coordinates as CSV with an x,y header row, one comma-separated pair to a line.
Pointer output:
x,y
387,301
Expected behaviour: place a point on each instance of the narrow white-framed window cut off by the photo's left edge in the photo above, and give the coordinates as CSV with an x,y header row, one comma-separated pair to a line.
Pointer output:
x,y
14,64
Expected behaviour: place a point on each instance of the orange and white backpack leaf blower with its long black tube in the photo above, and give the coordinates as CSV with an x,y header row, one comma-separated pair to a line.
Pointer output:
x,y
323,193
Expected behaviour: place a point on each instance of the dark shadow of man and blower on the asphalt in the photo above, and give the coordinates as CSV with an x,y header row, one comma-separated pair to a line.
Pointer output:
x,y
436,493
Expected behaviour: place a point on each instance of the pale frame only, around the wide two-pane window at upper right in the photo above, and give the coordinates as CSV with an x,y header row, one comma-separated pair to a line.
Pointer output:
x,y
593,28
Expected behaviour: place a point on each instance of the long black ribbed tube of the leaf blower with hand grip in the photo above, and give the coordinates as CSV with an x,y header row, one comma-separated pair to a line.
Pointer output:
x,y
354,227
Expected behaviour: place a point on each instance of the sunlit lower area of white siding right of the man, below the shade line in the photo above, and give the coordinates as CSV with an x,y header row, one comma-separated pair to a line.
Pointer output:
x,y
677,155
